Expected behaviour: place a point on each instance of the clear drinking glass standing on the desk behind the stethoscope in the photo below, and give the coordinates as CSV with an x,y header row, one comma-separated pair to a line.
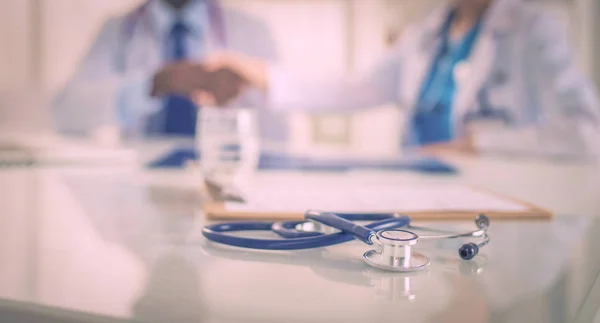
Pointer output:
x,y
227,140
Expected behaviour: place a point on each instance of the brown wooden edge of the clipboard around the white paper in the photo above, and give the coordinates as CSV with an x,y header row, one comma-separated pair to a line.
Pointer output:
x,y
216,211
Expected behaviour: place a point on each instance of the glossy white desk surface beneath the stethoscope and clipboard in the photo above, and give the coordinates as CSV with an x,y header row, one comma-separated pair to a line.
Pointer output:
x,y
111,244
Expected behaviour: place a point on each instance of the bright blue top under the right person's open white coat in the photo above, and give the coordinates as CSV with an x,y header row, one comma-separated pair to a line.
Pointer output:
x,y
432,121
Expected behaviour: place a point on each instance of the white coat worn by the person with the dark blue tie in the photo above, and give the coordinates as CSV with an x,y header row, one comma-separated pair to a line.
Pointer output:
x,y
112,84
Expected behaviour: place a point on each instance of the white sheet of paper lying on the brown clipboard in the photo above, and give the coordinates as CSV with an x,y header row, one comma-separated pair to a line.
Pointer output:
x,y
373,199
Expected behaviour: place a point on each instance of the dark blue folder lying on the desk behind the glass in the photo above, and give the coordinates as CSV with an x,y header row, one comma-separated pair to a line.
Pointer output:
x,y
278,161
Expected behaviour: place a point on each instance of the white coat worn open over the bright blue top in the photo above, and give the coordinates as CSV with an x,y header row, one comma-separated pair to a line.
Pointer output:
x,y
521,58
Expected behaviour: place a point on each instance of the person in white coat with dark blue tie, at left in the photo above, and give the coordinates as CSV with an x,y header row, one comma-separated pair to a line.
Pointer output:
x,y
150,50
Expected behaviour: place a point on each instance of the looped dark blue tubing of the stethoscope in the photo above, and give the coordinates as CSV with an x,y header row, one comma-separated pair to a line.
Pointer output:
x,y
310,240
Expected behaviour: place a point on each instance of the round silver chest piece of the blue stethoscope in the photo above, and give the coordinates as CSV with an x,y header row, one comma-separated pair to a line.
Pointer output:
x,y
396,252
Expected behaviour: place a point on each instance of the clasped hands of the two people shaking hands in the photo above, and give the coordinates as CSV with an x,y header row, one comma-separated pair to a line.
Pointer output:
x,y
216,81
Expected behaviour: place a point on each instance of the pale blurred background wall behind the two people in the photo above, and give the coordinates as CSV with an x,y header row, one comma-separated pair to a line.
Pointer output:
x,y
43,40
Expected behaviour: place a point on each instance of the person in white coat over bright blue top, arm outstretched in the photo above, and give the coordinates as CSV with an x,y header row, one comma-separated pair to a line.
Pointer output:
x,y
484,75
